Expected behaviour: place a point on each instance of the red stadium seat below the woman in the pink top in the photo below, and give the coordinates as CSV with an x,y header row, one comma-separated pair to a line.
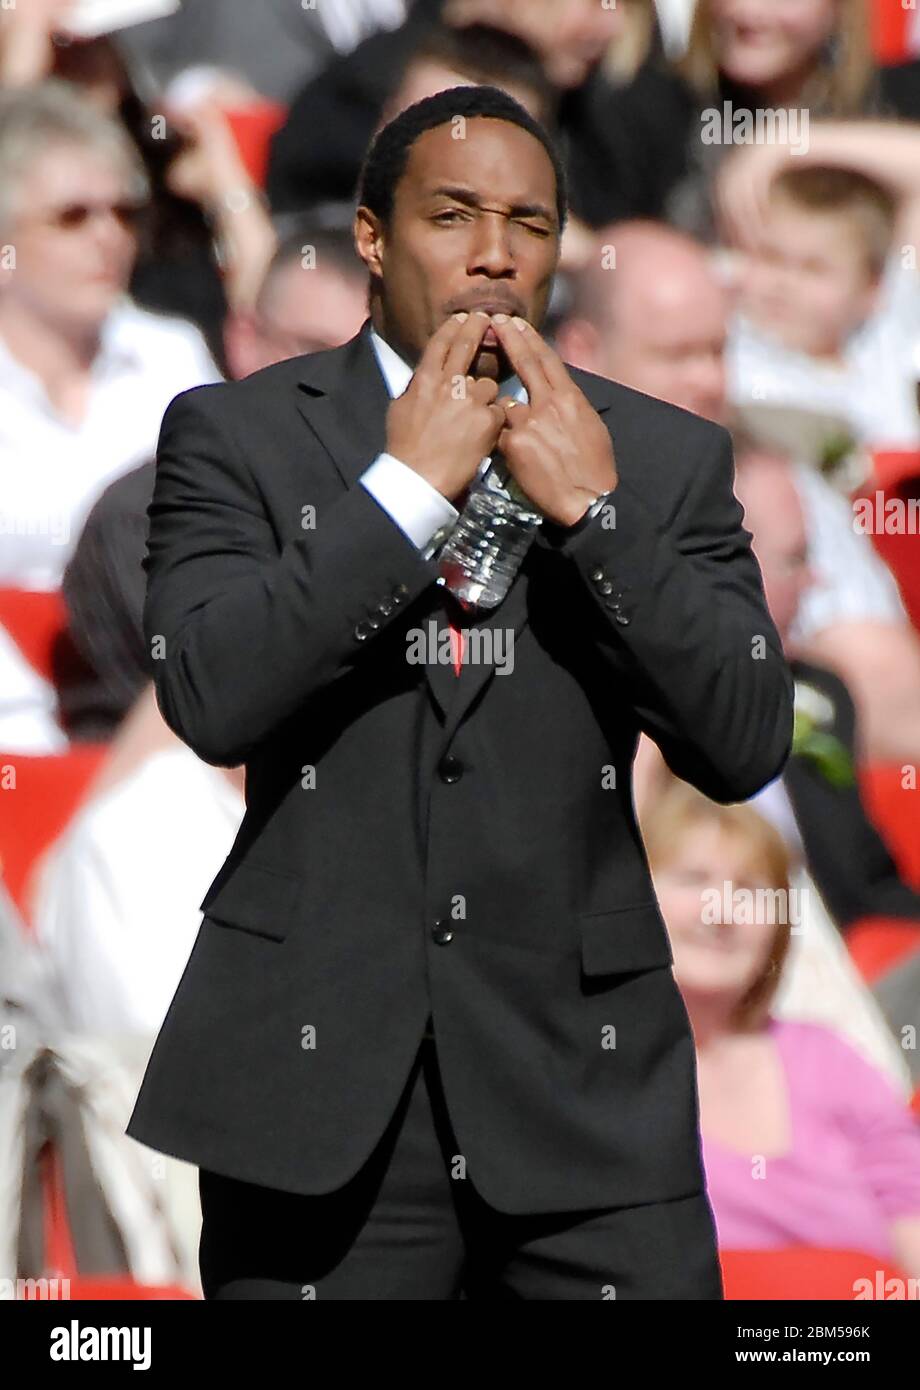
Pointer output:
x,y
804,1274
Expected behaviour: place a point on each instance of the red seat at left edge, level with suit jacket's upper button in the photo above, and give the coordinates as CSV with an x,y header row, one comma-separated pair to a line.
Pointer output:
x,y
38,797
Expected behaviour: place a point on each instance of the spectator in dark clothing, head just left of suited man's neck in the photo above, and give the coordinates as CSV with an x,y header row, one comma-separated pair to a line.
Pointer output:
x,y
315,297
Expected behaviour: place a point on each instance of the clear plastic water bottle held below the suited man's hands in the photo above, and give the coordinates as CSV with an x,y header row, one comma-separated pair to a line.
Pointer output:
x,y
491,539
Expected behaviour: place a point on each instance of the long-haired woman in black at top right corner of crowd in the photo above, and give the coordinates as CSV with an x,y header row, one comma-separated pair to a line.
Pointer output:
x,y
754,60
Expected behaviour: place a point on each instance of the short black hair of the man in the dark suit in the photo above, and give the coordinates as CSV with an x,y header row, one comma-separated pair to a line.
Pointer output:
x,y
388,156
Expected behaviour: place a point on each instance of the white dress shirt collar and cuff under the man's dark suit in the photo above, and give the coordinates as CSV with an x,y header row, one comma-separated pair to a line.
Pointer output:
x,y
413,504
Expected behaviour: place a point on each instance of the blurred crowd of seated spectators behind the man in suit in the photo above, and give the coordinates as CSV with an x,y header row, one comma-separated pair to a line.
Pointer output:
x,y
176,208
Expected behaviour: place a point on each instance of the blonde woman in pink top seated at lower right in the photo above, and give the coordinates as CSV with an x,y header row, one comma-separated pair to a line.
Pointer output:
x,y
805,1143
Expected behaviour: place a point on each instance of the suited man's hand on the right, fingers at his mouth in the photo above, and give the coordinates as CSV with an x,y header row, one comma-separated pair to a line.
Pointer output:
x,y
558,447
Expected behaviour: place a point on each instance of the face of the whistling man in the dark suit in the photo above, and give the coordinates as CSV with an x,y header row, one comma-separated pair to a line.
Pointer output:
x,y
475,226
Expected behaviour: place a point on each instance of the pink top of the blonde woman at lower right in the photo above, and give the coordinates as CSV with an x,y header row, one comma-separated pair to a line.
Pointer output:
x,y
853,1167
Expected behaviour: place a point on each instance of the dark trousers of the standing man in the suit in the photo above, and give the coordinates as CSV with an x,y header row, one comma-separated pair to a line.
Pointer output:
x,y
411,1228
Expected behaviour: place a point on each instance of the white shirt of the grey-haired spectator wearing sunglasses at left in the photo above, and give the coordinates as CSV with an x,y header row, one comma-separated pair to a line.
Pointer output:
x,y
54,472
